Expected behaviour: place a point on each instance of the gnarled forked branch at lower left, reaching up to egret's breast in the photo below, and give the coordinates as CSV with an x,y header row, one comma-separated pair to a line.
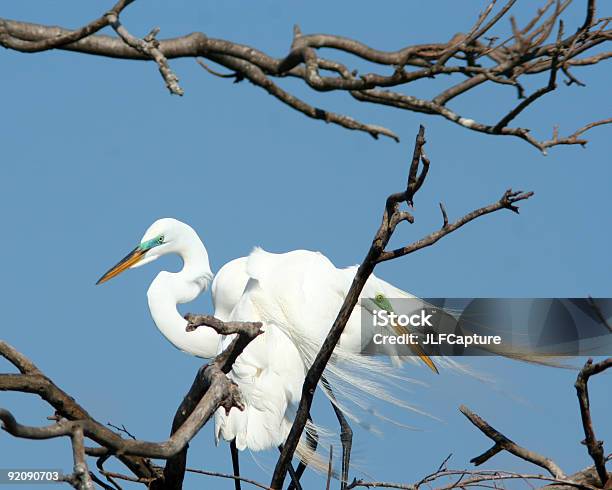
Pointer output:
x,y
211,389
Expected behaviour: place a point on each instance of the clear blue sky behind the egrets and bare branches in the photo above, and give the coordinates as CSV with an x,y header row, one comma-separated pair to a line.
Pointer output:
x,y
95,150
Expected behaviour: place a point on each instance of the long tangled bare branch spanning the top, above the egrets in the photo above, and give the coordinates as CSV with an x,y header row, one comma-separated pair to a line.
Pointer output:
x,y
477,58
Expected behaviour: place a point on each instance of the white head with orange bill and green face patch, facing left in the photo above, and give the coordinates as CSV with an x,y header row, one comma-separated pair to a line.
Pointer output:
x,y
161,238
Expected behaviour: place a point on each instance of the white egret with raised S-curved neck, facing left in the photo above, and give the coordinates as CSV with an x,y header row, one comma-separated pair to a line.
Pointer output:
x,y
296,295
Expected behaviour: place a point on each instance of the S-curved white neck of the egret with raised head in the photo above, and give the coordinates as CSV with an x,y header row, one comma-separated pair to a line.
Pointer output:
x,y
170,288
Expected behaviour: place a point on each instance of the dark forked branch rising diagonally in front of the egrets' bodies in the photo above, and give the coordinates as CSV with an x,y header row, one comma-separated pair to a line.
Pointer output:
x,y
392,216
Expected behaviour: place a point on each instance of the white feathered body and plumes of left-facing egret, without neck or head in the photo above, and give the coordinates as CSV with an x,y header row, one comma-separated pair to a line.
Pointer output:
x,y
297,296
